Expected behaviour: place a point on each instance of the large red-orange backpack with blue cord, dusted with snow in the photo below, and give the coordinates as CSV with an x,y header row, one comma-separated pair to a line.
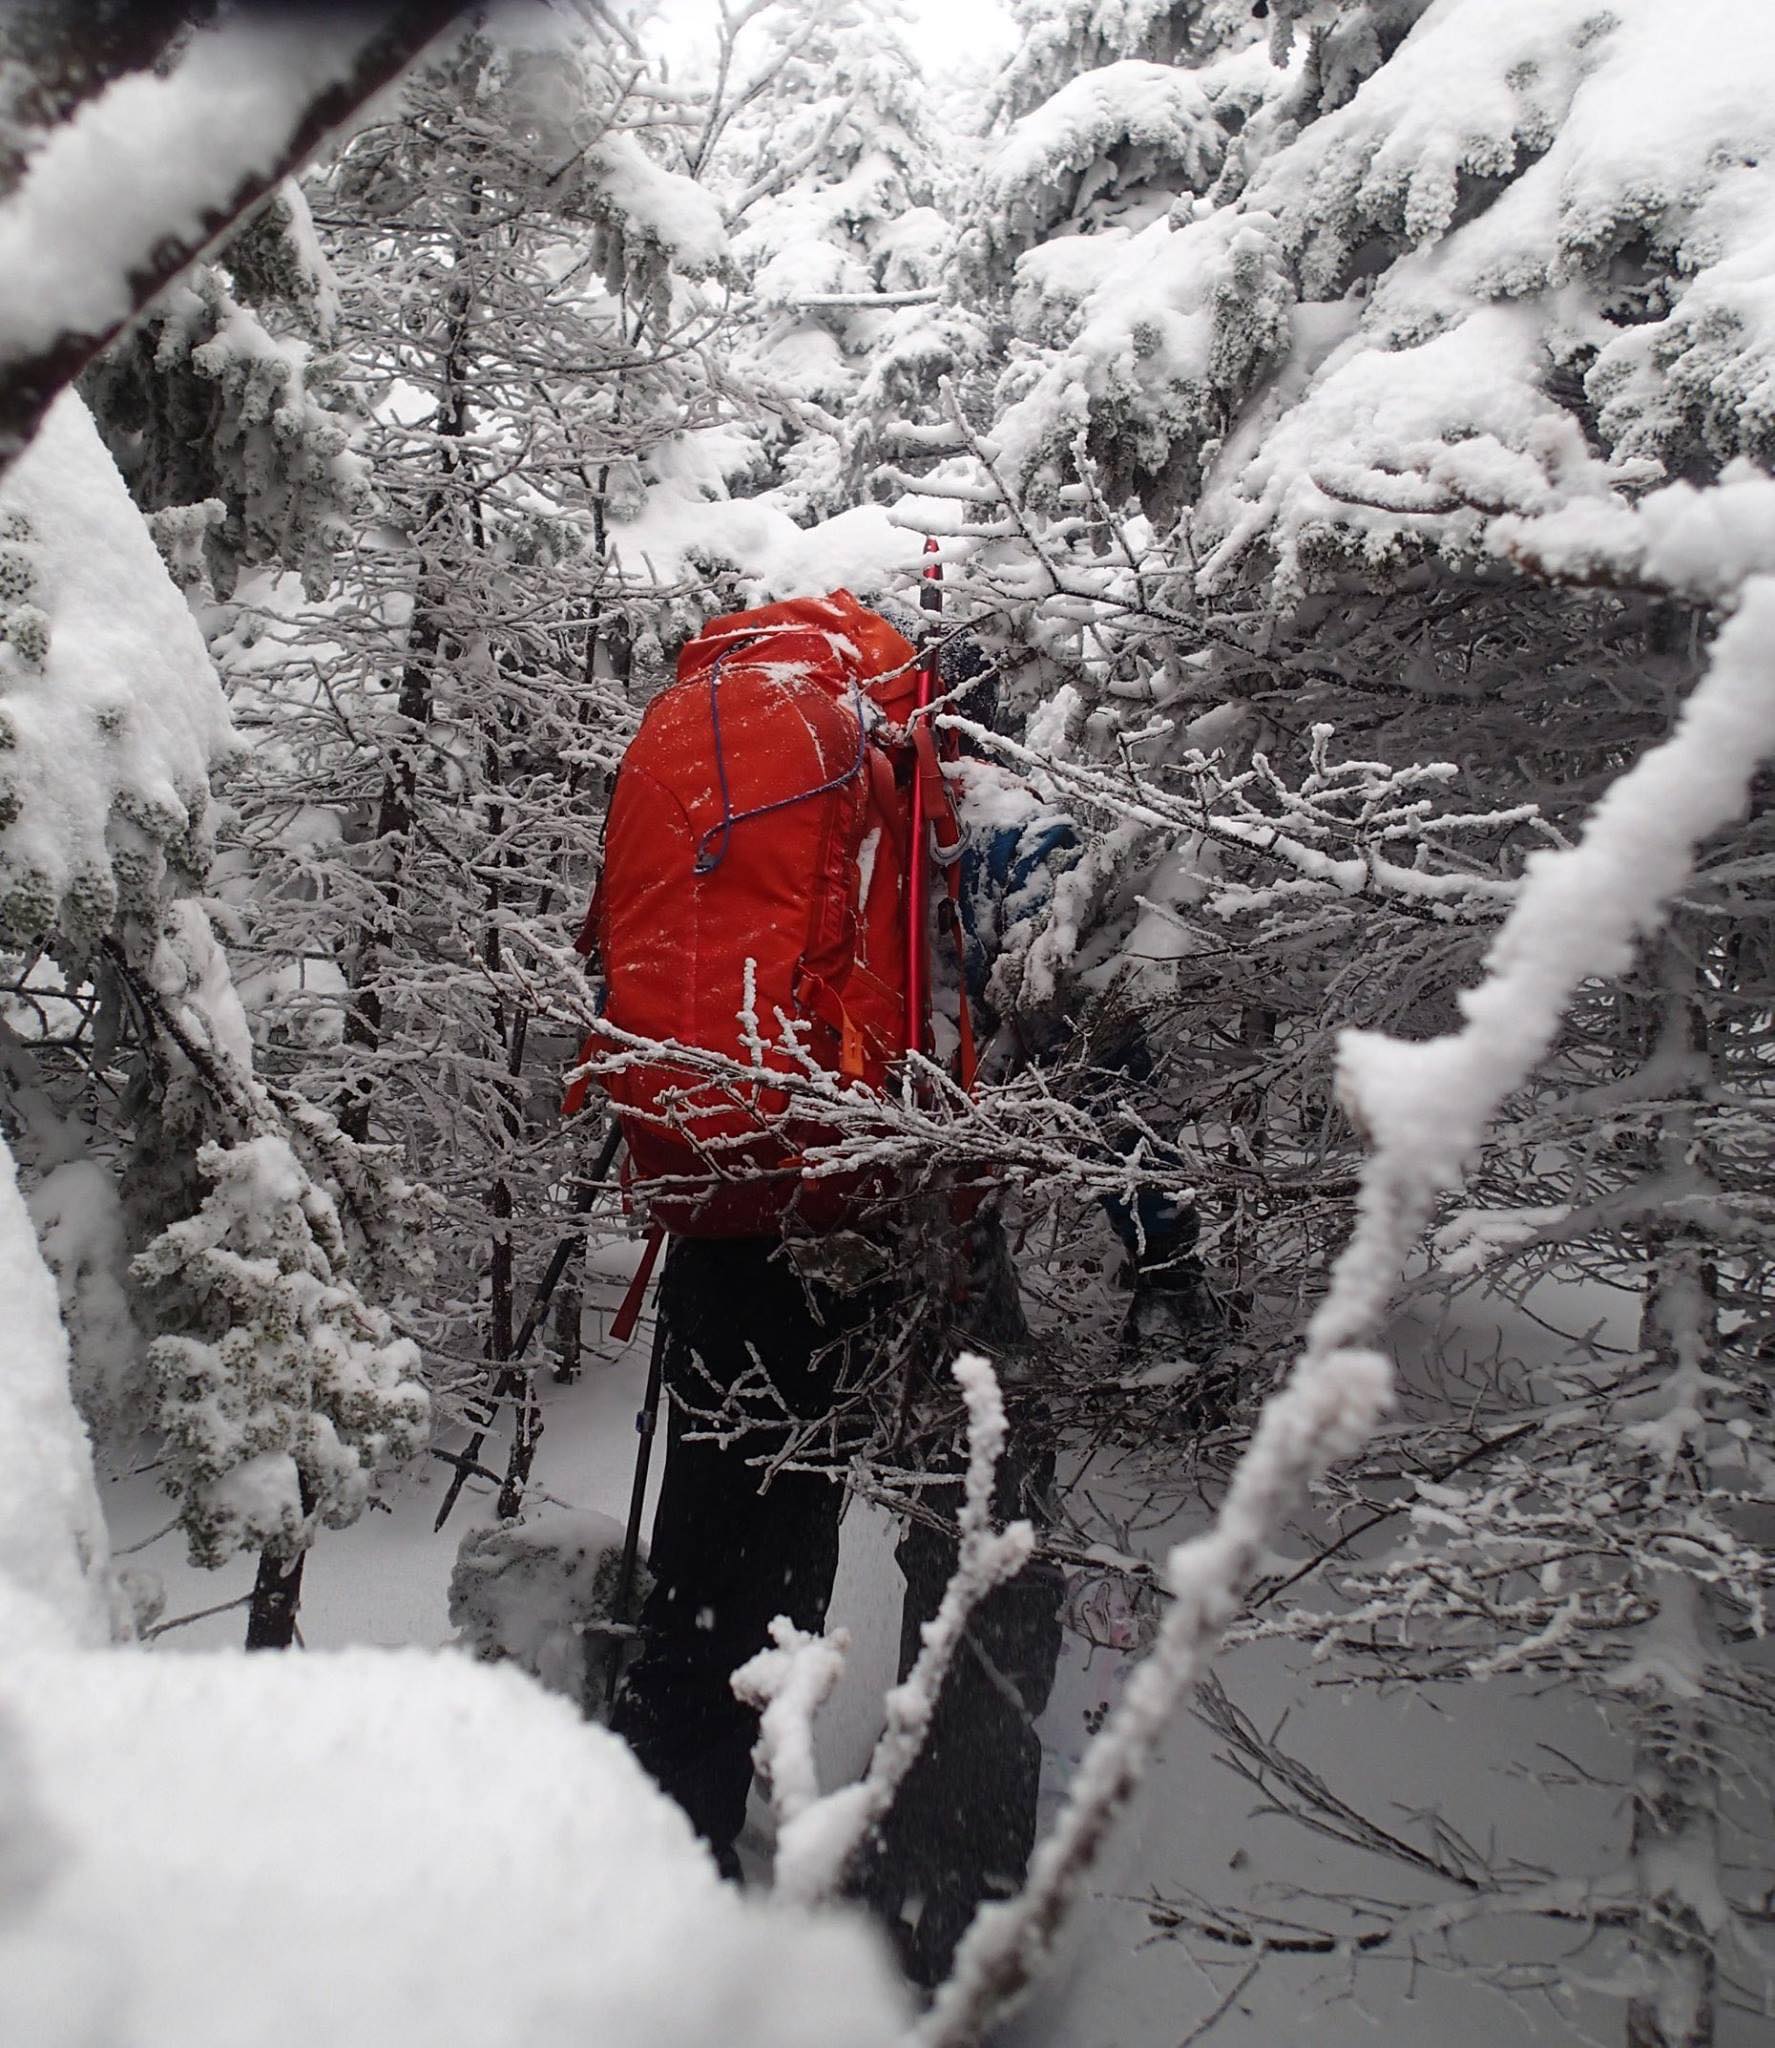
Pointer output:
x,y
754,892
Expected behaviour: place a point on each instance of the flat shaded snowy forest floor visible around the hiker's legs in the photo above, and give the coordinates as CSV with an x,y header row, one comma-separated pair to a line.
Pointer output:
x,y
1481,1756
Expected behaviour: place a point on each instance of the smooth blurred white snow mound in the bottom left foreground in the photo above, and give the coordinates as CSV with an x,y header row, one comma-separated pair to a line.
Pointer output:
x,y
374,1848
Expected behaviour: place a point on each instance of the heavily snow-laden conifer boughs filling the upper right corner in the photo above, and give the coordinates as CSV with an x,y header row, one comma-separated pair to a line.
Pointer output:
x,y
1510,267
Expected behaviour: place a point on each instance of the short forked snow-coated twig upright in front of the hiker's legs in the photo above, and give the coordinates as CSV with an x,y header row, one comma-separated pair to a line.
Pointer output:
x,y
820,1838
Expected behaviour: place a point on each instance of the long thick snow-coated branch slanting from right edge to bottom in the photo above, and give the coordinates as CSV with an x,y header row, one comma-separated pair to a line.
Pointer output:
x,y
1426,1109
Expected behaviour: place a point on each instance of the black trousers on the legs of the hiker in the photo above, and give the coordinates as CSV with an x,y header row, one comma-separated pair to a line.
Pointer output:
x,y
728,1558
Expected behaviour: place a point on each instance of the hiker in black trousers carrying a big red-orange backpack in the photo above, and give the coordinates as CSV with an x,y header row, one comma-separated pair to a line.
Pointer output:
x,y
761,1345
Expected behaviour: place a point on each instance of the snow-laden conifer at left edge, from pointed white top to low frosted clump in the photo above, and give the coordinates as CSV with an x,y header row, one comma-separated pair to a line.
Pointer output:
x,y
120,990
